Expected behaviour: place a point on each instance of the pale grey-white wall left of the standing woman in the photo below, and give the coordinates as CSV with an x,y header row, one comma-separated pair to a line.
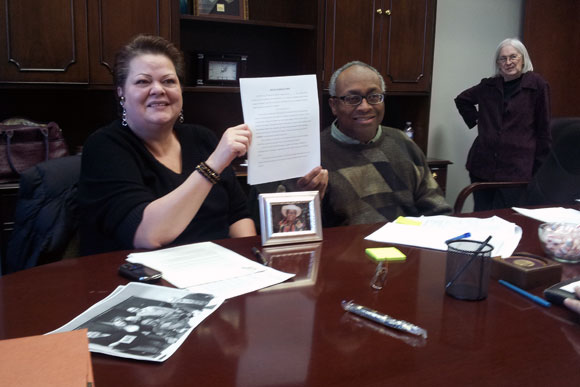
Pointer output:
x,y
467,34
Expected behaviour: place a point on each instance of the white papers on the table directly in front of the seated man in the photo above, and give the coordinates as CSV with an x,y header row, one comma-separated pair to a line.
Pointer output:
x,y
435,230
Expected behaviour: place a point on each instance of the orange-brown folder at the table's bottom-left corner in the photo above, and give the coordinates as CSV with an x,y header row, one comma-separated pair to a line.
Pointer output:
x,y
52,360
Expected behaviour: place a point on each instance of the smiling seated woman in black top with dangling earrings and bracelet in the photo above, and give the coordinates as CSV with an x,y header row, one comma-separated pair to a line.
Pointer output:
x,y
147,181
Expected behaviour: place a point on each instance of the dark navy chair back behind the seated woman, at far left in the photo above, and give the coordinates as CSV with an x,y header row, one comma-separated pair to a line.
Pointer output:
x,y
46,216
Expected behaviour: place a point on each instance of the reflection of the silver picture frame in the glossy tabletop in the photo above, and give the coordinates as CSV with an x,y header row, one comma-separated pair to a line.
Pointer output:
x,y
302,260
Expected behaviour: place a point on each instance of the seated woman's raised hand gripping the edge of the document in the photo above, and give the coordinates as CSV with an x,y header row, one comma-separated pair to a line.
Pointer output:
x,y
234,143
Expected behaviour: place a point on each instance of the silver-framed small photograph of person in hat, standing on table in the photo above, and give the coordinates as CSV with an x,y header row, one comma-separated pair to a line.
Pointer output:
x,y
290,217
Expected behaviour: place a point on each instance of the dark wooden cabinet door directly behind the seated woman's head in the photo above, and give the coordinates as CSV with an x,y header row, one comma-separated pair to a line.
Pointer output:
x,y
112,23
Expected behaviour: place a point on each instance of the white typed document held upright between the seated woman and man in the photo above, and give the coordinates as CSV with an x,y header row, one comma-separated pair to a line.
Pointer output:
x,y
283,114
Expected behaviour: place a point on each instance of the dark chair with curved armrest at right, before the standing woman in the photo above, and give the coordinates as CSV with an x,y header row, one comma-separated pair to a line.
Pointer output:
x,y
557,182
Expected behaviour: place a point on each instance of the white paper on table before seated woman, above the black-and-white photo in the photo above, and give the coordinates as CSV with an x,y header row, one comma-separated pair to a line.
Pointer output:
x,y
204,266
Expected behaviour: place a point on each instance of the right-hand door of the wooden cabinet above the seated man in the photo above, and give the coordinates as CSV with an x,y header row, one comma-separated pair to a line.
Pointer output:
x,y
408,33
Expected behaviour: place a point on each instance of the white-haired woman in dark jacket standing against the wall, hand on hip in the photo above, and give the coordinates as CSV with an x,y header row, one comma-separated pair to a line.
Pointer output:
x,y
512,116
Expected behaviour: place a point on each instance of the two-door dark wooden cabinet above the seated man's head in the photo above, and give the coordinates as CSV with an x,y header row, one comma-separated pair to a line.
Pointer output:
x,y
394,36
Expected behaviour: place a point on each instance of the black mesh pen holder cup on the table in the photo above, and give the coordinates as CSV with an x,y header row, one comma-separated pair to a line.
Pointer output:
x,y
468,269
